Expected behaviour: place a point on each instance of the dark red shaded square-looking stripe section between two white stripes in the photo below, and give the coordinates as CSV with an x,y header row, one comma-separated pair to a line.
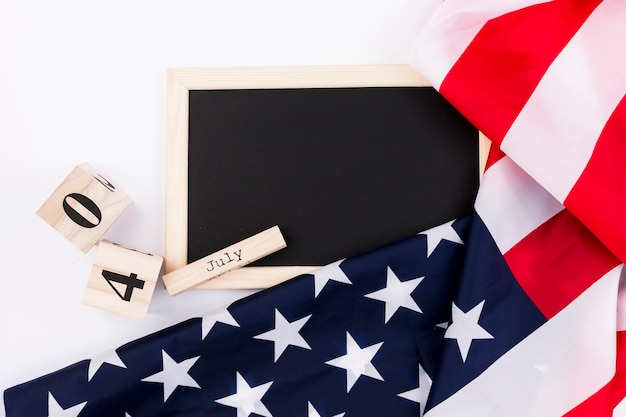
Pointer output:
x,y
559,260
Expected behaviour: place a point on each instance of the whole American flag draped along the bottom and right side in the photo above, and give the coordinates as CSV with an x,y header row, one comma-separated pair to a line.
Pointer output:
x,y
514,310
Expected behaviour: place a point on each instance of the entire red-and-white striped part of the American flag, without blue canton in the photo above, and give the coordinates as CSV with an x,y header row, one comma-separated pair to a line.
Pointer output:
x,y
546,82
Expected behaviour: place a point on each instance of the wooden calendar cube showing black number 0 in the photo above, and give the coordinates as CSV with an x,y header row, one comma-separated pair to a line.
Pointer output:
x,y
84,206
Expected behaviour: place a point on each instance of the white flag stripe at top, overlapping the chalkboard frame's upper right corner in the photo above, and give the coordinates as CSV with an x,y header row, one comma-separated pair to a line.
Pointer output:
x,y
450,31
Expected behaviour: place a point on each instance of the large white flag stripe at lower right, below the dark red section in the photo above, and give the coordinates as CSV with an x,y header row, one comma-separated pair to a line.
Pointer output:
x,y
554,369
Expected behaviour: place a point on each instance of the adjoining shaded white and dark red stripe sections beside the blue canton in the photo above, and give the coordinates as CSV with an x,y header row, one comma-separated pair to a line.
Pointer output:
x,y
553,256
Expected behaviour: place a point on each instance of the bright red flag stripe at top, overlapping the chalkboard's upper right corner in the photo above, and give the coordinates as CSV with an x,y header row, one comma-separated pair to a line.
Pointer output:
x,y
497,73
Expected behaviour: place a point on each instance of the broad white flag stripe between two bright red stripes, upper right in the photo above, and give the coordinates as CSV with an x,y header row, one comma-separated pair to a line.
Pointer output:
x,y
556,131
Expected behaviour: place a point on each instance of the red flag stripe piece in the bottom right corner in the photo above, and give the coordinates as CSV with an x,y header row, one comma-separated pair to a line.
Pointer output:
x,y
604,401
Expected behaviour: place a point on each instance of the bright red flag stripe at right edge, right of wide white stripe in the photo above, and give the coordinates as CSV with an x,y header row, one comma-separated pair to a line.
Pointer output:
x,y
599,196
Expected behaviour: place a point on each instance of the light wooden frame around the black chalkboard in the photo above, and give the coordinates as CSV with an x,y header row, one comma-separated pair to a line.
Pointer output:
x,y
180,81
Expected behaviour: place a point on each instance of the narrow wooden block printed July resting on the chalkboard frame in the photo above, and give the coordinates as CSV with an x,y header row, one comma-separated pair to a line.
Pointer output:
x,y
222,261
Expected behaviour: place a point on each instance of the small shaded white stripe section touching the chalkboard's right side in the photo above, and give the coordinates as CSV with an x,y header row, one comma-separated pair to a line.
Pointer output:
x,y
512,204
